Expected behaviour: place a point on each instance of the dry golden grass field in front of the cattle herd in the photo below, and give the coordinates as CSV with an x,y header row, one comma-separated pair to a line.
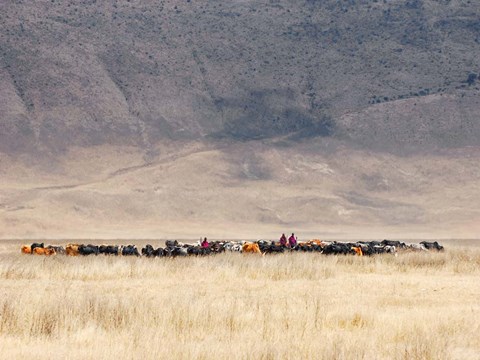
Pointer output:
x,y
413,306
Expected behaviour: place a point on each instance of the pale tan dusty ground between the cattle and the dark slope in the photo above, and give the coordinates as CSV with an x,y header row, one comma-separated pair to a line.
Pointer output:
x,y
240,190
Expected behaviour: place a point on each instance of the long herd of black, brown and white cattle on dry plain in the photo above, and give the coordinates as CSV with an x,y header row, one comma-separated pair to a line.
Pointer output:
x,y
173,248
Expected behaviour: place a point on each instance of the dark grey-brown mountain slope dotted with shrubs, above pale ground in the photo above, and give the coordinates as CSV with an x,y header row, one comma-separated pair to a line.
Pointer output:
x,y
137,73
